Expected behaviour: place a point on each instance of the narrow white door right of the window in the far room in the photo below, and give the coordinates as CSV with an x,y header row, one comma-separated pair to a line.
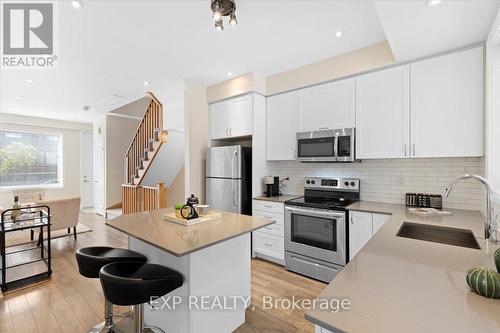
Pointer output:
x,y
87,169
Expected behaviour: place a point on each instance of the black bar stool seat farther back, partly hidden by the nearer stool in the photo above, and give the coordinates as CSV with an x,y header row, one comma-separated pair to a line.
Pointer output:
x,y
92,259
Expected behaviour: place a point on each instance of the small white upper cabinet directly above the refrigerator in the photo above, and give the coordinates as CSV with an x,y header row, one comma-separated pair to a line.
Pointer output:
x,y
231,118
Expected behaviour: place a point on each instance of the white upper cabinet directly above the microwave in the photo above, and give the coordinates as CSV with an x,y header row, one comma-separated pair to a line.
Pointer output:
x,y
327,106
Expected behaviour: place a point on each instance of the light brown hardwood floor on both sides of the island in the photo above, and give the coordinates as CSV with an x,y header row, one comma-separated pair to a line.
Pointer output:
x,y
71,303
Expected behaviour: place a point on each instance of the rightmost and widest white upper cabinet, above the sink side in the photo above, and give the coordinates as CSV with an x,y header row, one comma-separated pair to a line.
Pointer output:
x,y
447,105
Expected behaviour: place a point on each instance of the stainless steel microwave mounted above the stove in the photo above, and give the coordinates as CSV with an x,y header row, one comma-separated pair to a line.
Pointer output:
x,y
336,145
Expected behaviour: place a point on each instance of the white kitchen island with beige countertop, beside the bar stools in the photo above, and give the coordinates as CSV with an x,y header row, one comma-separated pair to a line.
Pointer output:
x,y
214,258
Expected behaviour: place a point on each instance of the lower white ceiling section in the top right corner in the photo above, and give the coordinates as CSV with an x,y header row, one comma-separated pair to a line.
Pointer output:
x,y
415,30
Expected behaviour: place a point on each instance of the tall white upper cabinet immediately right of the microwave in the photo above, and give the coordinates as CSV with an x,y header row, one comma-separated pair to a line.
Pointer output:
x,y
382,111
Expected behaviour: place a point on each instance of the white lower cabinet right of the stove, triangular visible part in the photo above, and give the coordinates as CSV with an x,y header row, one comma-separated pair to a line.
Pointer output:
x,y
362,227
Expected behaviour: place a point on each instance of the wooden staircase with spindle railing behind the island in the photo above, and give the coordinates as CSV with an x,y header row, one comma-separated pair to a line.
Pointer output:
x,y
141,153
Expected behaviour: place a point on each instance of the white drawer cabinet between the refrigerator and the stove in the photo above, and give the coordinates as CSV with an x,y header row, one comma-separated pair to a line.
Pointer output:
x,y
268,243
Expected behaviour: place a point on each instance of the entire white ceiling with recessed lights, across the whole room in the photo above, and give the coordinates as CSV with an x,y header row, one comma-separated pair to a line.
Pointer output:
x,y
111,47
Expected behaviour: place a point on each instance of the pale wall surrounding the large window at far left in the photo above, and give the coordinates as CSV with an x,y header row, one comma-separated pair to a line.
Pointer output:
x,y
70,132
